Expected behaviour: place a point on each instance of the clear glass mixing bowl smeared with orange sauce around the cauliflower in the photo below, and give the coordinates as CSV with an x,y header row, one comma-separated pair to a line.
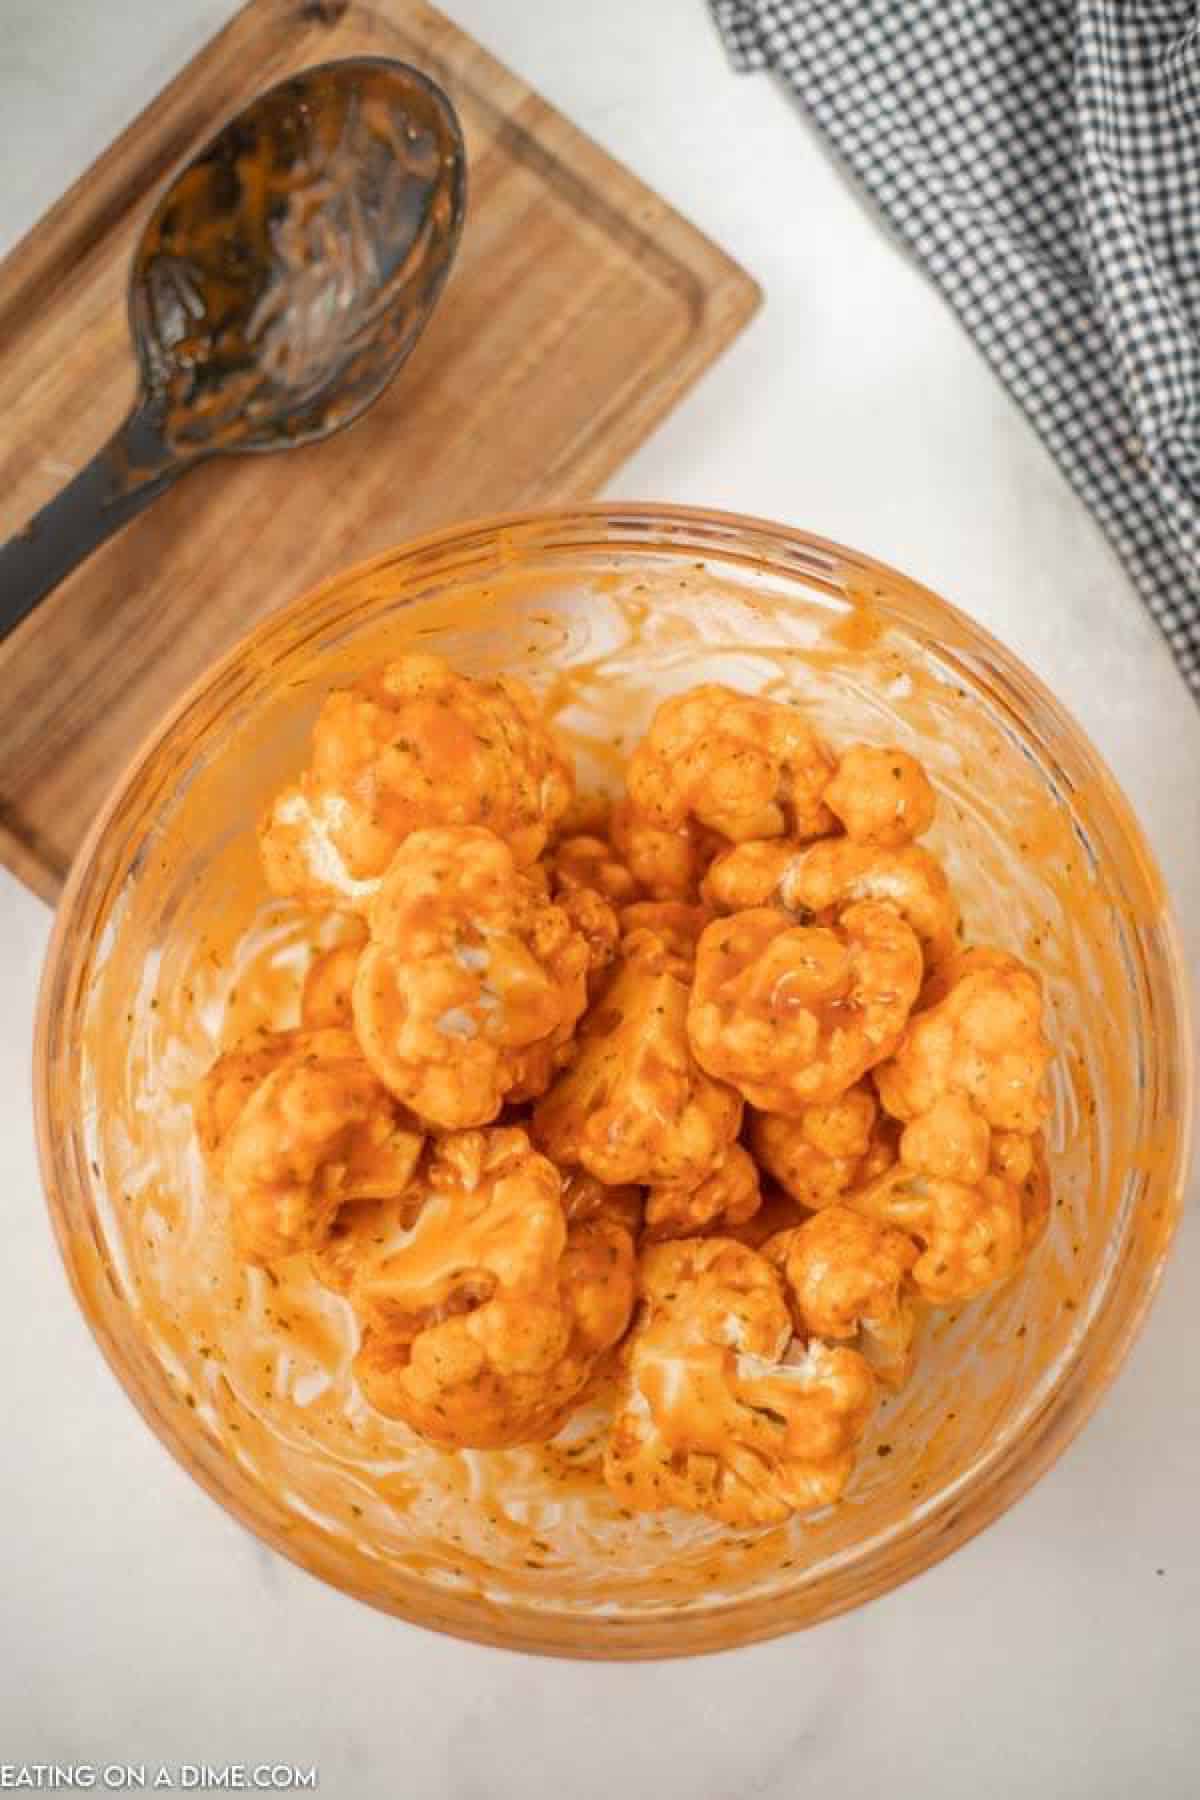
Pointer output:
x,y
166,942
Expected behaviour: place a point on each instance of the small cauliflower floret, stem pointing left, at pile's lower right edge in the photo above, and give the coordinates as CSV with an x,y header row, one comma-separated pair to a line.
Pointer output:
x,y
974,1237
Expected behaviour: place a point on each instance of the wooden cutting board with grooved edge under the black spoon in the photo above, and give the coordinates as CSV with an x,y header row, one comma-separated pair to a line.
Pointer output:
x,y
580,309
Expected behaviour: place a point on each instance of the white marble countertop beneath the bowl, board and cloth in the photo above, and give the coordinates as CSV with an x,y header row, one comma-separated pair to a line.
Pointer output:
x,y
1053,1657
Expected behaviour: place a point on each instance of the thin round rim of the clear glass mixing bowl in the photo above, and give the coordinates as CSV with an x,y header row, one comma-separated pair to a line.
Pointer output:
x,y
1044,1448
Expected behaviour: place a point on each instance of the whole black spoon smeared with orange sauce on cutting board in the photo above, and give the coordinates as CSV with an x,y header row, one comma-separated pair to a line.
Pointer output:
x,y
278,289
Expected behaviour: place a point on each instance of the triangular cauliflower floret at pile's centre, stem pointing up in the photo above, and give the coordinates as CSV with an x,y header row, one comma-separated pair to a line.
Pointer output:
x,y
636,1106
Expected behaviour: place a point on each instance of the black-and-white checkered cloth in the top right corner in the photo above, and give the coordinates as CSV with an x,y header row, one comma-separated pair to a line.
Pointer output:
x,y
1043,159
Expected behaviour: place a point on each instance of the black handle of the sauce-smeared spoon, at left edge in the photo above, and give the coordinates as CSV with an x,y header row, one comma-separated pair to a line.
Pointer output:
x,y
132,471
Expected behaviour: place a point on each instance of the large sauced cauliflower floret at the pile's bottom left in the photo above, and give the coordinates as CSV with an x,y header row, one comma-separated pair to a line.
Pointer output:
x,y
488,1322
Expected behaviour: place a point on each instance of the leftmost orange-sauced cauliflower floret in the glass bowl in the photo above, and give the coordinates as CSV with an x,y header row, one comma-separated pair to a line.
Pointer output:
x,y
294,1128
